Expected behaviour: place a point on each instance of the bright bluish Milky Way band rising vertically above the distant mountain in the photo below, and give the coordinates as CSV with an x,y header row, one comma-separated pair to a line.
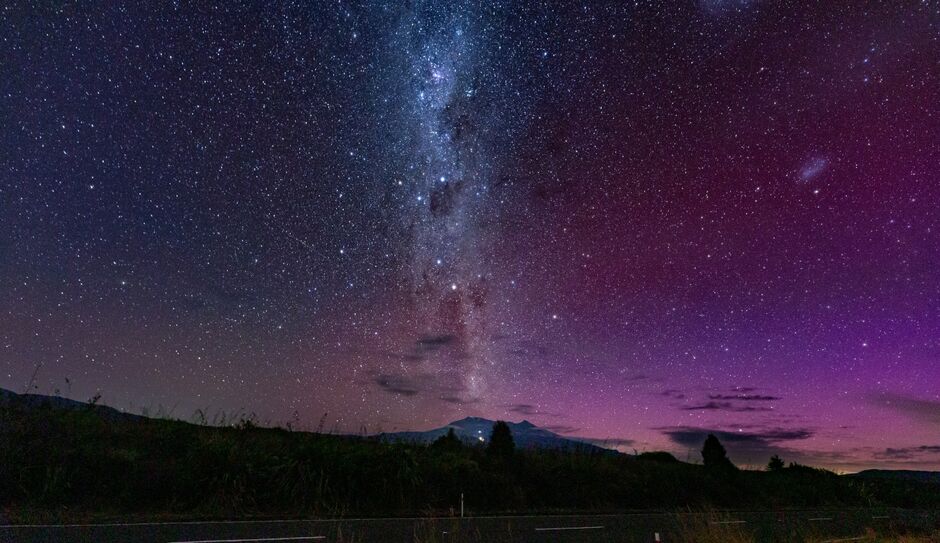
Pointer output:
x,y
450,171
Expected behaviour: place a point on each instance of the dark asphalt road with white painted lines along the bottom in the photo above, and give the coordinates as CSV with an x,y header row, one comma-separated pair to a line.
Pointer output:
x,y
633,527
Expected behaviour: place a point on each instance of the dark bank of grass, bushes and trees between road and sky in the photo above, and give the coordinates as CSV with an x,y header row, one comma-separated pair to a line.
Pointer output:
x,y
88,462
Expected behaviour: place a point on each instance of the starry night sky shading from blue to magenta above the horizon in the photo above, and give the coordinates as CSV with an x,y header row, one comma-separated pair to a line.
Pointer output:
x,y
632,222
